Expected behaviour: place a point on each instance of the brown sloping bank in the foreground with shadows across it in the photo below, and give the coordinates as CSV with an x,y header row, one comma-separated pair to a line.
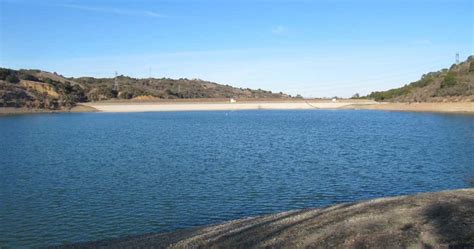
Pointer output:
x,y
442,219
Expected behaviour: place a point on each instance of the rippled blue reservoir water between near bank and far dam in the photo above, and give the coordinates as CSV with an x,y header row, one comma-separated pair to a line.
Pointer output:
x,y
79,177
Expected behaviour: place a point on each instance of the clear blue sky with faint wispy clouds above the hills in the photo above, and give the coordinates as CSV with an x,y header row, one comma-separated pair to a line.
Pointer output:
x,y
314,48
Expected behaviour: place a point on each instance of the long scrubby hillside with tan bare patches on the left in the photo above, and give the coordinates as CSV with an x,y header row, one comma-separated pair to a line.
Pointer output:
x,y
44,90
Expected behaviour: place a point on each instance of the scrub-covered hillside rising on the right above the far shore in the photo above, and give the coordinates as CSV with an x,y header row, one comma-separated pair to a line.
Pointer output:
x,y
454,84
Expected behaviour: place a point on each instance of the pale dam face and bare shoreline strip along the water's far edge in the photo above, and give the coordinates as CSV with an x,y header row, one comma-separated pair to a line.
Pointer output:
x,y
220,105
